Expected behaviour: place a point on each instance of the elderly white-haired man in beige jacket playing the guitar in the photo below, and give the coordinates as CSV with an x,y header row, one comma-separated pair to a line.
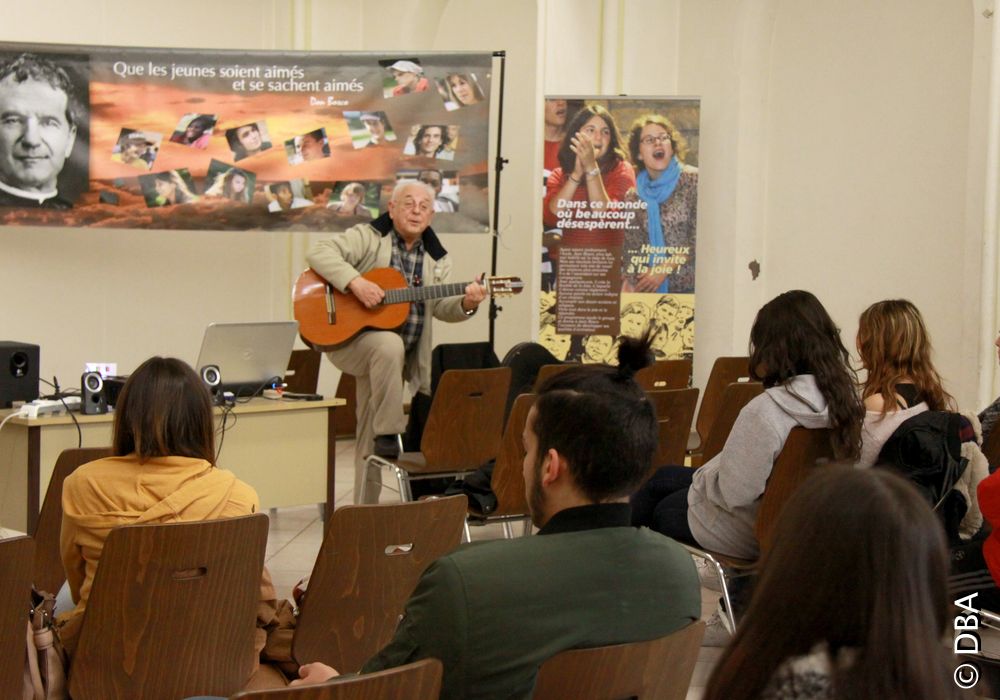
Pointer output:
x,y
380,359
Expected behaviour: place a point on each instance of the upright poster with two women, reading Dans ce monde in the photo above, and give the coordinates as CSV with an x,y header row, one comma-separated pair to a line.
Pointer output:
x,y
619,222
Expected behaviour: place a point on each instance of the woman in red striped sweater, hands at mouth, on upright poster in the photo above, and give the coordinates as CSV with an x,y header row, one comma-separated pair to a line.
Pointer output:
x,y
592,169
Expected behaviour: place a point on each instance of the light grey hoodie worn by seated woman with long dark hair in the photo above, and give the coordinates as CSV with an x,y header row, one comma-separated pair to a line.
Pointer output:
x,y
726,491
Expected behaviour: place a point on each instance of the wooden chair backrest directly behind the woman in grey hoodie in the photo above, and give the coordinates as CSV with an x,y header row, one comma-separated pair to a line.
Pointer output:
x,y
803,451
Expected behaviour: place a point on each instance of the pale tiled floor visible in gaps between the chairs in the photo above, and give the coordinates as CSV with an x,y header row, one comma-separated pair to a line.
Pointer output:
x,y
296,534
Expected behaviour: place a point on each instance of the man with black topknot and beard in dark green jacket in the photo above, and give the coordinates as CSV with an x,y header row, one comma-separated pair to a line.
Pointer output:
x,y
493,612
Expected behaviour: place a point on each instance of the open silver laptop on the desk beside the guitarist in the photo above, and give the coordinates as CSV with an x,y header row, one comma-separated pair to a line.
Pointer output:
x,y
251,357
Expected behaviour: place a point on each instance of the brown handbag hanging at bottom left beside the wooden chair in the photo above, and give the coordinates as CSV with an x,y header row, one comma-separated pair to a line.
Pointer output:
x,y
45,667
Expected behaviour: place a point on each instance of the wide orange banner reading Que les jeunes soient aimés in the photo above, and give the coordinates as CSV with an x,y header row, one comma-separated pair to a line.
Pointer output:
x,y
233,140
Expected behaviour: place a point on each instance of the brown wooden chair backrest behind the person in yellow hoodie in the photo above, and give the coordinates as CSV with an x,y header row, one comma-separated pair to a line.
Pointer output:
x,y
172,611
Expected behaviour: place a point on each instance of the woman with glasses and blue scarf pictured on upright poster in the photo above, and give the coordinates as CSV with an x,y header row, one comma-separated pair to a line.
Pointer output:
x,y
669,188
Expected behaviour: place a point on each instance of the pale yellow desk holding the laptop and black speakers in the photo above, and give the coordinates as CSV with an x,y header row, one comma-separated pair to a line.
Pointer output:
x,y
285,449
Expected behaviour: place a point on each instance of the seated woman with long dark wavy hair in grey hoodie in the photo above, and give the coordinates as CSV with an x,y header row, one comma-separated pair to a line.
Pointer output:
x,y
795,350
